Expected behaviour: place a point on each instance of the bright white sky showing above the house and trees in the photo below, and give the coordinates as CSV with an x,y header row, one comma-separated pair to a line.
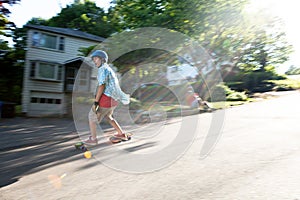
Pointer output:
x,y
287,9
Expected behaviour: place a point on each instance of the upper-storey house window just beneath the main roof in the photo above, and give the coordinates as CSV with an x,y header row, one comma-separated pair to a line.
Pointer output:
x,y
48,41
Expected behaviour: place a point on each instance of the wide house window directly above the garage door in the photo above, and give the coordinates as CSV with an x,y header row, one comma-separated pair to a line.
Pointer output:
x,y
46,71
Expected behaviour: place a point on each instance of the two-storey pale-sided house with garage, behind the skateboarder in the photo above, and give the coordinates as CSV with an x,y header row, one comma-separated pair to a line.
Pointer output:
x,y
51,66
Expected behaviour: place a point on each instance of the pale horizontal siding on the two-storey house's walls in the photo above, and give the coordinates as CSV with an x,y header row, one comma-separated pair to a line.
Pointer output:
x,y
47,89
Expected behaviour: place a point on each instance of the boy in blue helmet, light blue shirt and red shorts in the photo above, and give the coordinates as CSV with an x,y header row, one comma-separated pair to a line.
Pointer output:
x,y
108,94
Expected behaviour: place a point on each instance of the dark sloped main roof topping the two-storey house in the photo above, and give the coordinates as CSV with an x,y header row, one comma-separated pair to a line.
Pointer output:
x,y
67,31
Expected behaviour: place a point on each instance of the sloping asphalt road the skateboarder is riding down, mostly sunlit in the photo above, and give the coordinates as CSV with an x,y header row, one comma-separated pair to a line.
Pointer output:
x,y
256,156
